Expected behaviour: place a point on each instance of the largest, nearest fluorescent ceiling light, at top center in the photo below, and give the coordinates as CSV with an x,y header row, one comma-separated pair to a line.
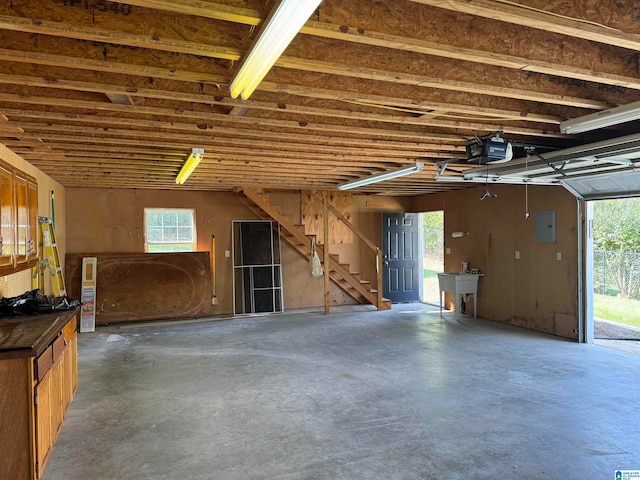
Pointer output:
x,y
284,22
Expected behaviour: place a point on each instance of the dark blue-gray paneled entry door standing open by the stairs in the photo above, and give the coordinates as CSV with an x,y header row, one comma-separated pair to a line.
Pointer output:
x,y
400,252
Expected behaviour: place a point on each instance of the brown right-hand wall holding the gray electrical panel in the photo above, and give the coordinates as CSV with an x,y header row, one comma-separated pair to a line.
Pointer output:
x,y
537,291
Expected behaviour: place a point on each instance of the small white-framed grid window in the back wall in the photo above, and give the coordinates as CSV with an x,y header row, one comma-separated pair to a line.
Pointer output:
x,y
170,230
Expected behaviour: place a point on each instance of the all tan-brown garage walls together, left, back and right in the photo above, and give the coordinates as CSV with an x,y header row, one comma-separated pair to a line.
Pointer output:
x,y
537,291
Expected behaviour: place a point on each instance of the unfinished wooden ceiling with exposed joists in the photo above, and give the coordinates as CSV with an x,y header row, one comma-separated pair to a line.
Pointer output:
x,y
116,94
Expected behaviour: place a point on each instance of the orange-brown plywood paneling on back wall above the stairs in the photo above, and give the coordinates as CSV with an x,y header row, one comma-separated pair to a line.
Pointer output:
x,y
312,215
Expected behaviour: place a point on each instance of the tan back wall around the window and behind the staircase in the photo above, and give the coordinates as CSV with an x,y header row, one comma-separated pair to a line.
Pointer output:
x,y
111,220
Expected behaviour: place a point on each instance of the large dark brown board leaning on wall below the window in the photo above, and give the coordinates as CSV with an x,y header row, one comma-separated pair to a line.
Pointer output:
x,y
146,286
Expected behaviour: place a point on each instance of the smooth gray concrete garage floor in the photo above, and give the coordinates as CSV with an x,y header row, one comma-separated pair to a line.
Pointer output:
x,y
356,395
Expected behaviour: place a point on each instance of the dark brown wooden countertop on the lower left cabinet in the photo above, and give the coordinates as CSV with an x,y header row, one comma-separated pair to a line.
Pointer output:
x,y
29,335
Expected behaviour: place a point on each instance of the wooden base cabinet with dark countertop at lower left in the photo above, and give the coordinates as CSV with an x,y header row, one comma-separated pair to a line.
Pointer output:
x,y
38,381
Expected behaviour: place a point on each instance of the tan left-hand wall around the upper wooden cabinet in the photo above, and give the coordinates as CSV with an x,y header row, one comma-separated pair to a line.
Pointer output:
x,y
18,283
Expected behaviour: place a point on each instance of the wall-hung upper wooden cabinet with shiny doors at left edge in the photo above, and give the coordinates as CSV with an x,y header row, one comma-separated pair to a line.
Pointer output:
x,y
19,217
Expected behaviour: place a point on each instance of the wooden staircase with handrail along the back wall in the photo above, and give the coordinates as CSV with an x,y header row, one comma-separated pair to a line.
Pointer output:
x,y
351,283
